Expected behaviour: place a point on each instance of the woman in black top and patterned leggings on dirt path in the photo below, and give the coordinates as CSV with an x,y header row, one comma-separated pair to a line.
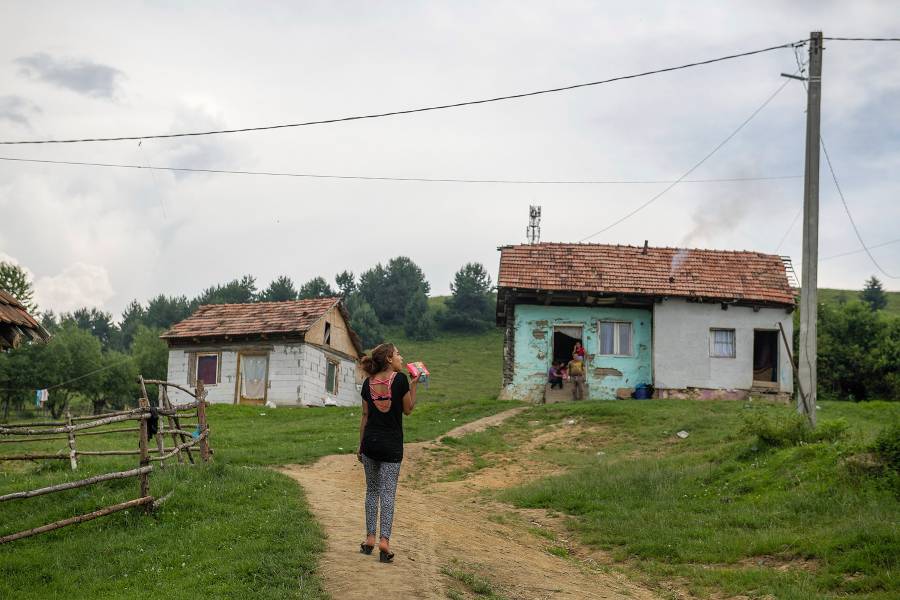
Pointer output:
x,y
387,396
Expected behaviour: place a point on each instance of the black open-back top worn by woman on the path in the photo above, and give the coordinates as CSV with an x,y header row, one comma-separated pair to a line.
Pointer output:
x,y
383,434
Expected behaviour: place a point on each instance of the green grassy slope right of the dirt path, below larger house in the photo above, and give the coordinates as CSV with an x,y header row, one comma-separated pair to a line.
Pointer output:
x,y
719,512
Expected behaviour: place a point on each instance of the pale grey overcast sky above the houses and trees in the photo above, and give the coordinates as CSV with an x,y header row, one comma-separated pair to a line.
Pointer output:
x,y
101,237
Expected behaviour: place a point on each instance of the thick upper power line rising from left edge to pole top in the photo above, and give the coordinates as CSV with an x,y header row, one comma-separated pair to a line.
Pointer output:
x,y
412,110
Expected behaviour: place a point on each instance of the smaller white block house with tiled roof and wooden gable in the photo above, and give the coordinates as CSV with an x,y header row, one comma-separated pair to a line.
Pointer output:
x,y
294,353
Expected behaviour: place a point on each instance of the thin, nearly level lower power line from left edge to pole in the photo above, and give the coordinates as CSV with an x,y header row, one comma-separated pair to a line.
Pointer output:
x,y
386,178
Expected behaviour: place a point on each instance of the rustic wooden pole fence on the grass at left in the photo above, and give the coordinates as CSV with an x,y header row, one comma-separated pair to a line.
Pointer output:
x,y
73,427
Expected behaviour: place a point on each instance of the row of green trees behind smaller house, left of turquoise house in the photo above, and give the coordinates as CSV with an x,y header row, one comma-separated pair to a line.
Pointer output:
x,y
90,340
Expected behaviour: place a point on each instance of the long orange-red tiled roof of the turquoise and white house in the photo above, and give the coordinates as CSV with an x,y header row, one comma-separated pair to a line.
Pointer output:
x,y
646,271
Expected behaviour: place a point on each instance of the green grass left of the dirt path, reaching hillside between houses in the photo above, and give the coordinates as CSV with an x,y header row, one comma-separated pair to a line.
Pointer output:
x,y
233,528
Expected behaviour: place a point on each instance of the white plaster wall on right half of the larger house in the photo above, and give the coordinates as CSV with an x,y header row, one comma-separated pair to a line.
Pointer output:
x,y
681,345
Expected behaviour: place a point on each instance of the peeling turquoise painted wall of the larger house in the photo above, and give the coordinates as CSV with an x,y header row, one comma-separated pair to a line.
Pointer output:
x,y
605,374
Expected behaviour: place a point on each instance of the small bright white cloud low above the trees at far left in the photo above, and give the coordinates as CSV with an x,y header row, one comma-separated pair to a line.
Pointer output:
x,y
78,285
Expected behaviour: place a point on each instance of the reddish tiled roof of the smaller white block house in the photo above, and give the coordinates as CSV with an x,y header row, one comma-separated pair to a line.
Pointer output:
x,y
292,317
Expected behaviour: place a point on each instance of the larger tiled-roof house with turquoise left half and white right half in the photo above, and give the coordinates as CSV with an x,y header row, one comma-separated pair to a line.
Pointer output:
x,y
688,322
